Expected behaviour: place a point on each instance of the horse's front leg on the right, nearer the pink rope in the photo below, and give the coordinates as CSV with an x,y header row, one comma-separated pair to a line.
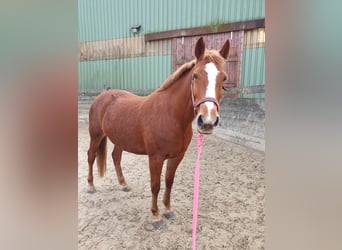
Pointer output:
x,y
171,168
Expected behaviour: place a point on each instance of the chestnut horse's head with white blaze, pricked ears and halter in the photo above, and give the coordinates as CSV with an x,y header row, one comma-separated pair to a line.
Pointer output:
x,y
207,83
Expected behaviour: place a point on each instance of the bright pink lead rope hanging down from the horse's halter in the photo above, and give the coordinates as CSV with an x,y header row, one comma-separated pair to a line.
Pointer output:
x,y
196,190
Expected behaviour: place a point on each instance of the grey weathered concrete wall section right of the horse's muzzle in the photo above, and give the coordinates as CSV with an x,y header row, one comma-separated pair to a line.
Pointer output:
x,y
243,122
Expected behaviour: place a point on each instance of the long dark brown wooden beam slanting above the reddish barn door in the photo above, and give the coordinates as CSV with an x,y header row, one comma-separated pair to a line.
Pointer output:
x,y
206,30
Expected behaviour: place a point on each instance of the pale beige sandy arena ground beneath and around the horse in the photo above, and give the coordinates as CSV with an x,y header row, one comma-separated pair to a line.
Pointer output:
x,y
231,201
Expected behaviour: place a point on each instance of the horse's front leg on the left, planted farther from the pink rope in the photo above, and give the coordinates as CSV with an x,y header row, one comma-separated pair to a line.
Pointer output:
x,y
156,165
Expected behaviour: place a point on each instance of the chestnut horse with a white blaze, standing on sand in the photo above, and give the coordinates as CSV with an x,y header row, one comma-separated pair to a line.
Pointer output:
x,y
158,125
